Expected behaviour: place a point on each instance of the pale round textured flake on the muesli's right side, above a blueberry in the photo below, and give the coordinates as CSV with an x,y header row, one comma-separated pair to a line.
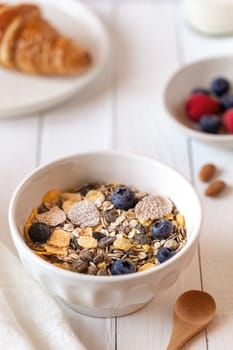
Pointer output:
x,y
153,207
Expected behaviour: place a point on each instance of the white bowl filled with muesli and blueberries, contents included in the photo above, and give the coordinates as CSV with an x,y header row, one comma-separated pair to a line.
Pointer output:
x,y
105,231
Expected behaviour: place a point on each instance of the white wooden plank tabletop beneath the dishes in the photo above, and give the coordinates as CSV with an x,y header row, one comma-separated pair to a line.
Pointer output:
x,y
124,110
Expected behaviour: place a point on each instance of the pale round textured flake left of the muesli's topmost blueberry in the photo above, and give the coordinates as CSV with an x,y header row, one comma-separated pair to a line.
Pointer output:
x,y
84,214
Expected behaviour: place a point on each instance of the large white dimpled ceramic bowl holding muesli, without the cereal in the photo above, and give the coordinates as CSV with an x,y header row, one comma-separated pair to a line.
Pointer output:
x,y
105,296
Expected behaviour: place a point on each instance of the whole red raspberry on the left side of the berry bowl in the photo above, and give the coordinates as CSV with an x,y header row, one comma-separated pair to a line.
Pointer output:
x,y
200,104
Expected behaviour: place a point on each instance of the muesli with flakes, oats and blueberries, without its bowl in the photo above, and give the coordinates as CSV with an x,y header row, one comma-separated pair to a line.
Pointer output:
x,y
105,229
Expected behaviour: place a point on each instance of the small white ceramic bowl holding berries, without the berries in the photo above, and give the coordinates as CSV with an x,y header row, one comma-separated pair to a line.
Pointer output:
x,y
197,74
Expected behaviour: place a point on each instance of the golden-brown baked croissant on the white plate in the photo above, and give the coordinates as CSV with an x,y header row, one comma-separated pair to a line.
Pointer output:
x,y
30,44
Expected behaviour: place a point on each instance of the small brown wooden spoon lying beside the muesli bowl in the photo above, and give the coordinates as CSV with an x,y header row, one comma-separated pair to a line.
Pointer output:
x,y
193,310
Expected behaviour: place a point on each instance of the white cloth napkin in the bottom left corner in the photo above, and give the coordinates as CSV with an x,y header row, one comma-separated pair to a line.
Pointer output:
x,y
30,319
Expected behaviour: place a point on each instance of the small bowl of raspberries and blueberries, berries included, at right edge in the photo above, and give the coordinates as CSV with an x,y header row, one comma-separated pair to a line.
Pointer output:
x,y
199,100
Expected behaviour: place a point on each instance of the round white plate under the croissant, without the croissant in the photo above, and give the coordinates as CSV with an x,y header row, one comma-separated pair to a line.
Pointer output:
x,y
23,94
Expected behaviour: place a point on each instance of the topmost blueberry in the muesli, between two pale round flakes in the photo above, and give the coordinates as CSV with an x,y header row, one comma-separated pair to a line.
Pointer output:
x,y
123,198
